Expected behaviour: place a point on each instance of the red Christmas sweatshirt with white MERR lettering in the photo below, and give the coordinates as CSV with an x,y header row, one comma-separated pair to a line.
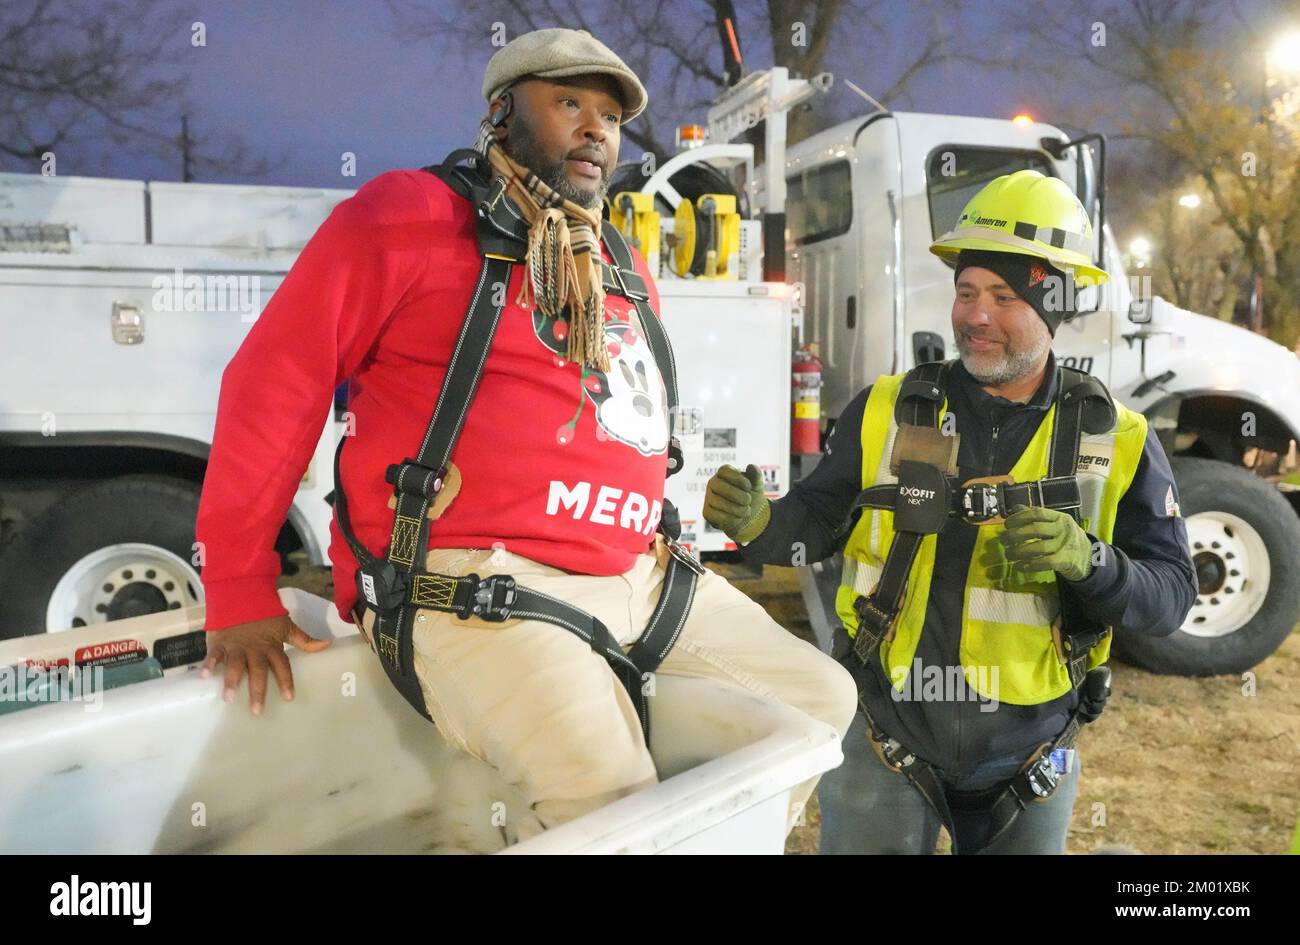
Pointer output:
x,y
560,465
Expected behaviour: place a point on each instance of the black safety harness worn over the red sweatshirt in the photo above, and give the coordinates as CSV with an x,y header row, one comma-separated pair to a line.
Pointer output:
x,y
397,586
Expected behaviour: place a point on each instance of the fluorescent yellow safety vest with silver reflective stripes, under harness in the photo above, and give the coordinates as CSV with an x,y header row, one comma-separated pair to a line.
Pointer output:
x,y
1007,645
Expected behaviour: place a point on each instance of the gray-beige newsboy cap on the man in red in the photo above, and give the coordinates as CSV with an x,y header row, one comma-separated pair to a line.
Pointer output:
x,y
556,54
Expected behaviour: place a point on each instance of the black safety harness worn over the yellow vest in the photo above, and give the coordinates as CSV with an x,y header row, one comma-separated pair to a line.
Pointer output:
x,y
924,500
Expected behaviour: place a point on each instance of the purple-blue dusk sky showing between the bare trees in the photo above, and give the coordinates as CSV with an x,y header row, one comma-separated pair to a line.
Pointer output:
x,y
300,83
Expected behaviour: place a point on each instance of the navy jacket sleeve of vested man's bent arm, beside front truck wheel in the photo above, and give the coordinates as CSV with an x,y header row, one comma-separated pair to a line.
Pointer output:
x,y
1146,583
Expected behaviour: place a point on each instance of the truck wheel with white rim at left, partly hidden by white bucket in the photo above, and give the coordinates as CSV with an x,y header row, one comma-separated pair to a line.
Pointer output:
x,y
119,549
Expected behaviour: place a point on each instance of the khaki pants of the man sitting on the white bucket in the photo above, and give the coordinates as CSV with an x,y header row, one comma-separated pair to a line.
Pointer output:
x,y
535,703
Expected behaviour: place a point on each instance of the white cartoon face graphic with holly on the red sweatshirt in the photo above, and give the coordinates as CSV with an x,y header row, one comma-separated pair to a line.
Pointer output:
x,y
631,401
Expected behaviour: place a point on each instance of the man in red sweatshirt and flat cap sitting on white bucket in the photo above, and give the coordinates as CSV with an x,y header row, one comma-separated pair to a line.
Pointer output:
x,y
561,462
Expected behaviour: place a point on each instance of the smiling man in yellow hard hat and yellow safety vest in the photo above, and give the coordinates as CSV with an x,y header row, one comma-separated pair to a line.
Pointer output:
x,y
980,645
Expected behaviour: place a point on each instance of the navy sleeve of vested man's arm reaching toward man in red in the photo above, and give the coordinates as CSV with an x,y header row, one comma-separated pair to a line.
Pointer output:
x,y
809,523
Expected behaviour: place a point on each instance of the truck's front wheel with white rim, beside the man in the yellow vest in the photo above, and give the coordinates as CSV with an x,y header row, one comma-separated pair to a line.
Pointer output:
x,y
1246,548
